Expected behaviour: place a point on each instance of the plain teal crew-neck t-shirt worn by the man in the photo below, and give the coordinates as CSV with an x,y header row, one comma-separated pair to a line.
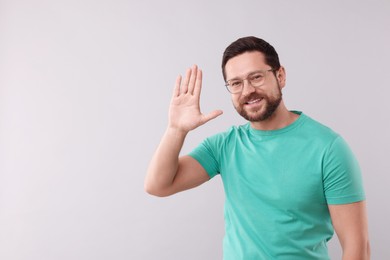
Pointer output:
x,y
278,184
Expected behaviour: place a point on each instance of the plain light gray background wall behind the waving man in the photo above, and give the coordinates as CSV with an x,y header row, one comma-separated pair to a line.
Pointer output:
x,y
84,93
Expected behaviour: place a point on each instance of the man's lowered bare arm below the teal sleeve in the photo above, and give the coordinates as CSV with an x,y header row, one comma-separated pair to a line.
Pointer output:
x,y
350,224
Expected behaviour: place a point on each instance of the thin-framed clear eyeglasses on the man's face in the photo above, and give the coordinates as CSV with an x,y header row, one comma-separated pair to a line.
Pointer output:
x,y
256,79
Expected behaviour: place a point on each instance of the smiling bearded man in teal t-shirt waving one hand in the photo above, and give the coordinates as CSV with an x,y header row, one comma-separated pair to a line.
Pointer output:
x,y
289,181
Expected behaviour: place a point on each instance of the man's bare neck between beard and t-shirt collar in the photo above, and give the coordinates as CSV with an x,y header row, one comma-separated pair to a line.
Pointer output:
x,y
279,119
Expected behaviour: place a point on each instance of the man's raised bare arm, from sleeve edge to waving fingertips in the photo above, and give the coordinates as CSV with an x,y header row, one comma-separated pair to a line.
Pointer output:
x,y
167,173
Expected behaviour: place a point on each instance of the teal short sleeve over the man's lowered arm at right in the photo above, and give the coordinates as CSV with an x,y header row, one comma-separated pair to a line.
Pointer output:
x,y
341,174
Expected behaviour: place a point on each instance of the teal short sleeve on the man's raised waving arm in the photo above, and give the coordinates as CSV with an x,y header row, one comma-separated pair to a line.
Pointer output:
x,y
206,153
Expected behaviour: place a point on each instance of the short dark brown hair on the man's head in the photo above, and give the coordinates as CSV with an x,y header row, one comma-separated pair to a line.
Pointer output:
x,y
250,44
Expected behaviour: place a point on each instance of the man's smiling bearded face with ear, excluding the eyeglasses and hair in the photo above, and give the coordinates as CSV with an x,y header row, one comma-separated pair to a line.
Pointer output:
x,y
255,104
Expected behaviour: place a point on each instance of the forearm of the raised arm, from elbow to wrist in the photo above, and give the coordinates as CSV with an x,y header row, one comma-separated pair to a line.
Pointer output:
x,y
164,164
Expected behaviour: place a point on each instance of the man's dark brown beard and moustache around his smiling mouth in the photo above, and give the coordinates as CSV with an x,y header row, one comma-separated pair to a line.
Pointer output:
x,y
271,103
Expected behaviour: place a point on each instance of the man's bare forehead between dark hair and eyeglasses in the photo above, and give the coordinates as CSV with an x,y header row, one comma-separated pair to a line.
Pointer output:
x,y
243,64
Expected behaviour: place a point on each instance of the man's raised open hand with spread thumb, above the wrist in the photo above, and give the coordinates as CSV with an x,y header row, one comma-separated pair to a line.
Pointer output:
x,y
184,112
